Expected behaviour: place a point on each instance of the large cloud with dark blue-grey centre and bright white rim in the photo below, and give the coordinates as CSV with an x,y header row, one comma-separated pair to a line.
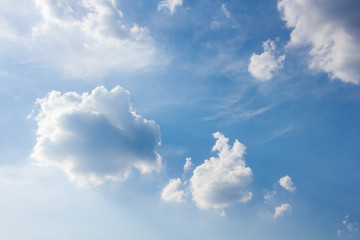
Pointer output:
x,y
95,136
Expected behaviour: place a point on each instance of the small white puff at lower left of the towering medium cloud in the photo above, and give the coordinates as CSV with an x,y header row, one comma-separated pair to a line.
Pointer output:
x,y
171,192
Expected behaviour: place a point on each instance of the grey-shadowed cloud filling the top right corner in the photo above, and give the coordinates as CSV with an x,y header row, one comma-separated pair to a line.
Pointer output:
x,y
331,29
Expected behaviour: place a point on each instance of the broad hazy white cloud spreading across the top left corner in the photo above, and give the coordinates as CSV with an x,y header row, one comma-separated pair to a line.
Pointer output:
x,y
78,38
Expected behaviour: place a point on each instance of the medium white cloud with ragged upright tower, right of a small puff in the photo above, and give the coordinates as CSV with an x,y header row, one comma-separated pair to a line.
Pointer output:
x,y
221,181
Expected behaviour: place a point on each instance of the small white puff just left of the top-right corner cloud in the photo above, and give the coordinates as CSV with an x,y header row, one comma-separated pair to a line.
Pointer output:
x,y
264,66
